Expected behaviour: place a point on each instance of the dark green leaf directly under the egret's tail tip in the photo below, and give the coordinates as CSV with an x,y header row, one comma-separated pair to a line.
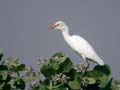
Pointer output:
x,y
104,69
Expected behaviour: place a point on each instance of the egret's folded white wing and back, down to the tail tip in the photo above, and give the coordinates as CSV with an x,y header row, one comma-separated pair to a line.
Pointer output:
x,y
81,46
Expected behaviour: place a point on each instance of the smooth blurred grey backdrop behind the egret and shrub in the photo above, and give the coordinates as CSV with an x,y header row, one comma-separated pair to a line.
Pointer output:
x,y
24,28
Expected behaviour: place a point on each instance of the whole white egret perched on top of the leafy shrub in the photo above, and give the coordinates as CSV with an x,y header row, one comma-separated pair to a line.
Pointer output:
x,y
78,44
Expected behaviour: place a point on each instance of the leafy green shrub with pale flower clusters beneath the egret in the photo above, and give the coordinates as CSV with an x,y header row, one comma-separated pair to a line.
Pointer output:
x,y
59,74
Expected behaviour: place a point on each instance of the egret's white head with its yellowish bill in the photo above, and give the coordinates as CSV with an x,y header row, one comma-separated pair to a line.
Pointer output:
x,y
59,25
